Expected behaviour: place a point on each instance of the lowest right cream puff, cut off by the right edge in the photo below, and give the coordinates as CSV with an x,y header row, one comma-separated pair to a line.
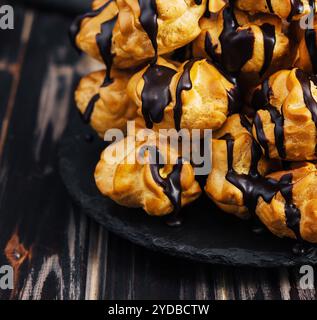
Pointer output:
x,y
292,212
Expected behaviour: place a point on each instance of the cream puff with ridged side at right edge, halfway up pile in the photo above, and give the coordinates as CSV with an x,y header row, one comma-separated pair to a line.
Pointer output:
x,y
285,124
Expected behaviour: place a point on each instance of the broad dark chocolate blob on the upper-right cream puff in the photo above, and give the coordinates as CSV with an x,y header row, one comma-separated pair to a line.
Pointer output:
x,y
236,46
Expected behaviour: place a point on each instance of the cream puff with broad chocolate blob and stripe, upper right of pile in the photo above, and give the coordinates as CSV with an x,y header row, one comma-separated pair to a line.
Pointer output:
x,y
242,44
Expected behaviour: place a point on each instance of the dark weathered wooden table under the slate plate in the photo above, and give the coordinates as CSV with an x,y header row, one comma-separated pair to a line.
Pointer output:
x,y
56,251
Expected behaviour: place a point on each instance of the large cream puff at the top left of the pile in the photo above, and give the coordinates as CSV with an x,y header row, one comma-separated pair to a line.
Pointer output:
x,y
130,32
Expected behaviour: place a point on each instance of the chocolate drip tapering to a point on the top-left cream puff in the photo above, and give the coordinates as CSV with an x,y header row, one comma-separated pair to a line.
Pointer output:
x,y
148,20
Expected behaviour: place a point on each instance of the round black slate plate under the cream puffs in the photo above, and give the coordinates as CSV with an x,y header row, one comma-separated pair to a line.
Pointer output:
x,y
207,234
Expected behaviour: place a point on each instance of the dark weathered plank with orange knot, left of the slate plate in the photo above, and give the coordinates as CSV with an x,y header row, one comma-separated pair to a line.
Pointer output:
x,y
40,234
